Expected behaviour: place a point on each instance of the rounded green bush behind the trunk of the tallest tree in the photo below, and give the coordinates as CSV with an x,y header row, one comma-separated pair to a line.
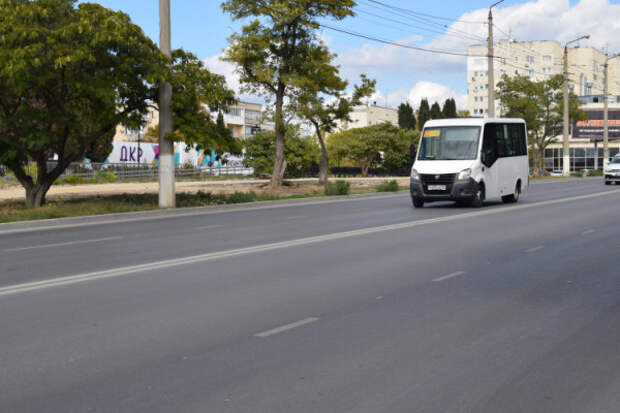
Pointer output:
x,y
301,153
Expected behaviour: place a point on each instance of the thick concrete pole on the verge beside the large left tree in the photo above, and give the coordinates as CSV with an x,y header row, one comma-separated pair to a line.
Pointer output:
x,y
167,194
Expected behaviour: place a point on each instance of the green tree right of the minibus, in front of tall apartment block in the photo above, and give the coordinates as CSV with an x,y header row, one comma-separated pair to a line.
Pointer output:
x,y
540,104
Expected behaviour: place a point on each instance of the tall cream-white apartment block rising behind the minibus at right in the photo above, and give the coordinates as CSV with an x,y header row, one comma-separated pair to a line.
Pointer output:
x,y
538,60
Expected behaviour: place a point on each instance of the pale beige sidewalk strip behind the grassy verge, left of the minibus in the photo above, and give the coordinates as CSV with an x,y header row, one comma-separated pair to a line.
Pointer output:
x,y
17,193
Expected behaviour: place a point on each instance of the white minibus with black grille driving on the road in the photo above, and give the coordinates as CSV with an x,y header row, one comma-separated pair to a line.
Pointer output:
x,y
468,160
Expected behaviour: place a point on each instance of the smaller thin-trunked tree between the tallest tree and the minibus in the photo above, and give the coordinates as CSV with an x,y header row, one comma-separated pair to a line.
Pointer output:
x,y
324,115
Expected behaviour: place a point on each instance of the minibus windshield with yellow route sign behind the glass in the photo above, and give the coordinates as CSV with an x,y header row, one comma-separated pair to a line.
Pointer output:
x,y
450,143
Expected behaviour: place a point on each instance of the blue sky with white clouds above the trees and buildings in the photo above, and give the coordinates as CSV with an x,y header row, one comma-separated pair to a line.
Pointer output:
x,y
200,26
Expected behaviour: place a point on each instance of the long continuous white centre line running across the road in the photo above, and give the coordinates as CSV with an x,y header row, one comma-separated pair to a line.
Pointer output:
x,y
158,265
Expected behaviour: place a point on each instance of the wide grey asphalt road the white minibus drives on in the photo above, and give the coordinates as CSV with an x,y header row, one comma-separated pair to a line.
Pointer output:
x,y
354,305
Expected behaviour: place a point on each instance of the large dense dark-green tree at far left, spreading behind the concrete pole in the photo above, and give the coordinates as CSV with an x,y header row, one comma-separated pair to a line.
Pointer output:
x,y
70,74
